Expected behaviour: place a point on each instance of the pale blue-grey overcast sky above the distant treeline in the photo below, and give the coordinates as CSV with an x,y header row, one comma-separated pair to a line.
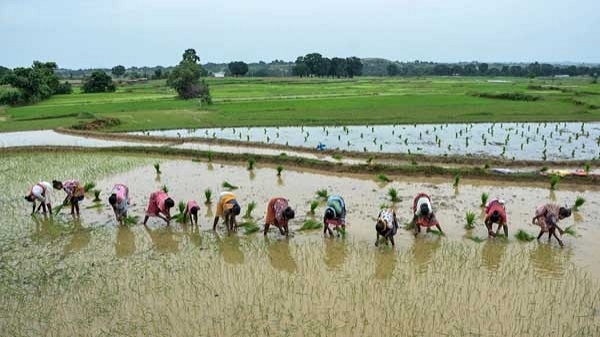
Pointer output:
x,y
104,33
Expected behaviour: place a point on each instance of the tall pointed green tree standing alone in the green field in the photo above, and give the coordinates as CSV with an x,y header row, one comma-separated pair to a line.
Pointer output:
x,y
185,78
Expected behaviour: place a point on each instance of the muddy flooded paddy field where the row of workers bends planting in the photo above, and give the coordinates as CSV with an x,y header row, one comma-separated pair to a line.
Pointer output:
x,y
60,276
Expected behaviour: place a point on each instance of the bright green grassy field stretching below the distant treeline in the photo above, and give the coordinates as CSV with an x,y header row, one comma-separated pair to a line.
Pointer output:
x,y
294,101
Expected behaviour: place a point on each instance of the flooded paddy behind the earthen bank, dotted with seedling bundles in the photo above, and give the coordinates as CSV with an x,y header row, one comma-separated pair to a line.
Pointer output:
x,y
519,141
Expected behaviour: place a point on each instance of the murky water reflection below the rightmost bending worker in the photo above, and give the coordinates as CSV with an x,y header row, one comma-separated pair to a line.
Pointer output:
x,y
549,259
